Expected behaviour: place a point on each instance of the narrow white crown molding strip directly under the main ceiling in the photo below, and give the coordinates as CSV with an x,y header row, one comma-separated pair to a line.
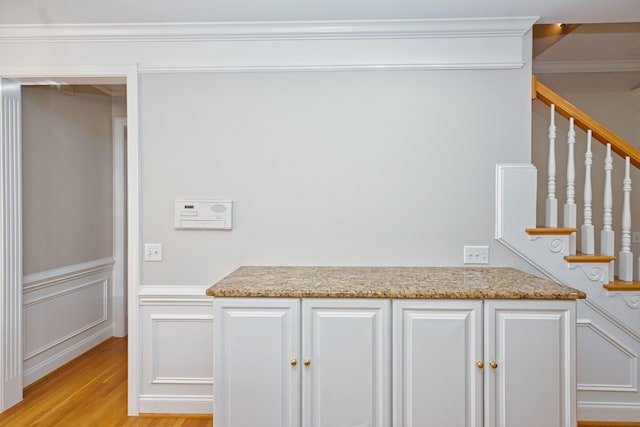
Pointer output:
x,y
291,30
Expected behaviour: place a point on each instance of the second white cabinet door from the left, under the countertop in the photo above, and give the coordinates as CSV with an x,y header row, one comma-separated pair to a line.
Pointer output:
x,y
347,380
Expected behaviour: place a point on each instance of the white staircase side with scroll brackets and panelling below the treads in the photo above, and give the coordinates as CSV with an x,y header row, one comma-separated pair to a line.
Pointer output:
x,y
608,332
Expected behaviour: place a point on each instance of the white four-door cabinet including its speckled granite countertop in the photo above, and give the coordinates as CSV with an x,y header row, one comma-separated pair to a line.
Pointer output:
x,y
393,347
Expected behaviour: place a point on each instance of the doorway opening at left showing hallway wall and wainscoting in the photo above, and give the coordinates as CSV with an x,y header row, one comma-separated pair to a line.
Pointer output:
x,y
73,138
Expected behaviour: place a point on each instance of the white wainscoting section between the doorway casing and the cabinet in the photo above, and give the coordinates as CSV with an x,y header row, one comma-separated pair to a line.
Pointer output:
x,y
177,350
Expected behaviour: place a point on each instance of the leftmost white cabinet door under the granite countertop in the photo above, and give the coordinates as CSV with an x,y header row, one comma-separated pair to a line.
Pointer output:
x,y
256,383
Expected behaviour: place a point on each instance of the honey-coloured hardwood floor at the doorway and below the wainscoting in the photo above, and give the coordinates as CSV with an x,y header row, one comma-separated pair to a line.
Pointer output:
x,y
89,391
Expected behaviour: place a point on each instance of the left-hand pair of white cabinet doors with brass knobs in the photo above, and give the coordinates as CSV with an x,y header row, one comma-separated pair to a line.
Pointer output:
x,y
322,362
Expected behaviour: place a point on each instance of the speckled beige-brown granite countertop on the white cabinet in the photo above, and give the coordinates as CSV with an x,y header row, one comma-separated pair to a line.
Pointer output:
x,y
389,282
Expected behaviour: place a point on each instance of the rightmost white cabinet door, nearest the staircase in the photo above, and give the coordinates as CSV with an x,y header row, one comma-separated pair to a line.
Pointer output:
x,y
530,363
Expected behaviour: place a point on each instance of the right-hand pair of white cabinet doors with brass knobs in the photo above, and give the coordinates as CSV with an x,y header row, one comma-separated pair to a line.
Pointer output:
x,y
450,371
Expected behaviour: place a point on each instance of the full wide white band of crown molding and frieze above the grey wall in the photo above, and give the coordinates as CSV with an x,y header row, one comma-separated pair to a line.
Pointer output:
x,y
495,43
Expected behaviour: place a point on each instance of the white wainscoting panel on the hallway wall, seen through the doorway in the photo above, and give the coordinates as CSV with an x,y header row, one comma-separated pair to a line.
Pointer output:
x,y
66,312
